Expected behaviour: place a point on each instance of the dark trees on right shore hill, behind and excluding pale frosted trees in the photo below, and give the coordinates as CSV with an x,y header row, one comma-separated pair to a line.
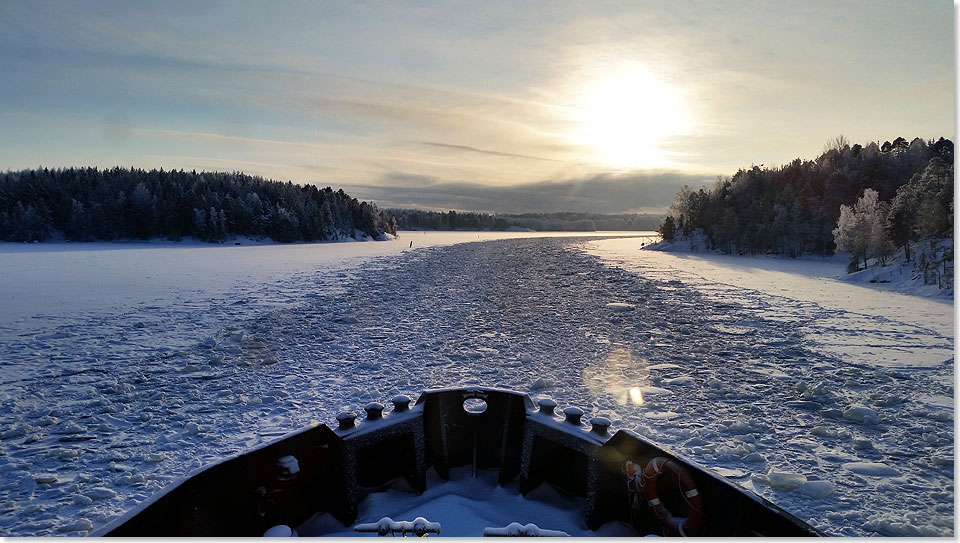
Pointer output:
x,y
793,209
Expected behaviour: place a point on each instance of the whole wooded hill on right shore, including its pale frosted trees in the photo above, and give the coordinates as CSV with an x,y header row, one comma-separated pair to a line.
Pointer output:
x,y
867,200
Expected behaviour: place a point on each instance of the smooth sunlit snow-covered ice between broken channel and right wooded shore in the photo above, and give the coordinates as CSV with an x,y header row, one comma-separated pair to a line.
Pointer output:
x,y
869,322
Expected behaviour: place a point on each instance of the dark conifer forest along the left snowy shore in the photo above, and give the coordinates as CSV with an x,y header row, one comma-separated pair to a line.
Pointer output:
x,y
85,204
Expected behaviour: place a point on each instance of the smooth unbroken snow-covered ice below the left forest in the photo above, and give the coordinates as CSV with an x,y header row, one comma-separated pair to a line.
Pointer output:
x,y
77,277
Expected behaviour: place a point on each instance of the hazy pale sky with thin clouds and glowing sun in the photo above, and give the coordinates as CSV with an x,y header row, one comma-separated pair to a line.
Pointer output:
x,y
488,106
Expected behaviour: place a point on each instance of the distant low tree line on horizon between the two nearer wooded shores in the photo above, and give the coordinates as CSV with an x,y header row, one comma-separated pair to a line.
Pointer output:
x,y
415,219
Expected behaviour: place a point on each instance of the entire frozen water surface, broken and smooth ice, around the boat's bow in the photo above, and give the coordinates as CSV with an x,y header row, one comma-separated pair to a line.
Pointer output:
x,y
127,395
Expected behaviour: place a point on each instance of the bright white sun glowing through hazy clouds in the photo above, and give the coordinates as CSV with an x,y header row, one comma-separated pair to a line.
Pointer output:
x,y
625,117
